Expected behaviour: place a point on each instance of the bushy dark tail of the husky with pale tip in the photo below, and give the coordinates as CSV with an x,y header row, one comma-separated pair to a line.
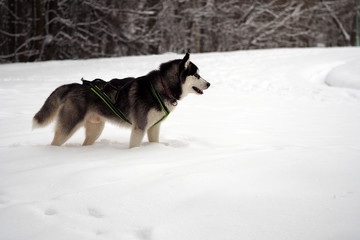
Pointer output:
x,y
50,108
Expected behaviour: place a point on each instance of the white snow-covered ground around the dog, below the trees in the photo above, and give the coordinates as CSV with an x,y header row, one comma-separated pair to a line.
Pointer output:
x,y
269,152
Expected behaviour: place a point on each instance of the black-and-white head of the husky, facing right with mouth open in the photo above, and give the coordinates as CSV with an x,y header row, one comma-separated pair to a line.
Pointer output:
x,y
190,78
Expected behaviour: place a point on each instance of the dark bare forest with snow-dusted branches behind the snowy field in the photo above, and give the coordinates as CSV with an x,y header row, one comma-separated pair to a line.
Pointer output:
x,y
38,30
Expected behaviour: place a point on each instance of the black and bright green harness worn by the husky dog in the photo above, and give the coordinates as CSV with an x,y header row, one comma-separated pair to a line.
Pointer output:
x,y
114,106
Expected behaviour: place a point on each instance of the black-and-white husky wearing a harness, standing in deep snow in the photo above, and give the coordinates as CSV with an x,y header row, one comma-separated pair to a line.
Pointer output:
x,y
143,101
